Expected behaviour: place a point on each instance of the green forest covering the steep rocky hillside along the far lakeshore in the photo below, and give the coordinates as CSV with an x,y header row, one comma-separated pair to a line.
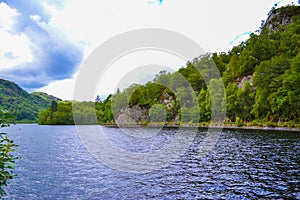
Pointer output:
x,y
261,77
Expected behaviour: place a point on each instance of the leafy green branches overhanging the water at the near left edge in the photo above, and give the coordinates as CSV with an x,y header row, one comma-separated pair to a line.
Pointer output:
x,y
7,160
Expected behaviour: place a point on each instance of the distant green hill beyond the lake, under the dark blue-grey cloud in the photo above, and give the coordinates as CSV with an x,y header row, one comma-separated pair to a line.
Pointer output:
x,y
25,106
